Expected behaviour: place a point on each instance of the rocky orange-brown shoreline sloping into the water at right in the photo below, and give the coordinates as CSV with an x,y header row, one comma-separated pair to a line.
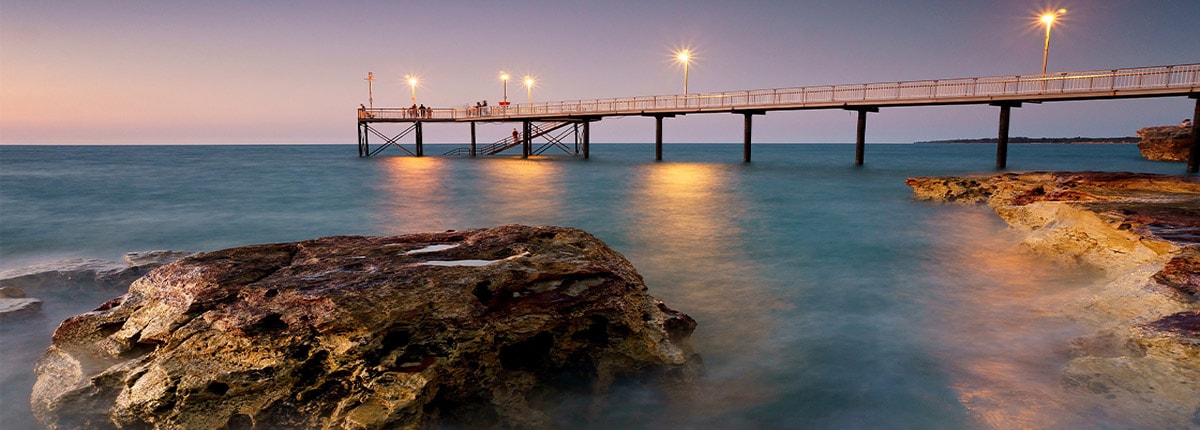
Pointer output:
x,y
1143,231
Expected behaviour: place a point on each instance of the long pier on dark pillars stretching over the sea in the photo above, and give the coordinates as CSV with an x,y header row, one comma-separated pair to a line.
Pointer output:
x,y
554,122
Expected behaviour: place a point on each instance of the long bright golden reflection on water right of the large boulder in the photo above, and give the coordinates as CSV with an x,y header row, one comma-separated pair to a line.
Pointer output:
x,y
692,250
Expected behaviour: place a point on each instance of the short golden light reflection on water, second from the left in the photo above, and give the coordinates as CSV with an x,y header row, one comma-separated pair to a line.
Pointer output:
x,y
524,192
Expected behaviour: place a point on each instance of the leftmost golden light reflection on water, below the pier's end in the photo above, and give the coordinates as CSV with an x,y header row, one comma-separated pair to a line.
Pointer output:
x,y
419,196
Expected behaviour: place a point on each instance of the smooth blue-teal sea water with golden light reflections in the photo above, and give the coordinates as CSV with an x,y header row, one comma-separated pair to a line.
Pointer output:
x,y
826,297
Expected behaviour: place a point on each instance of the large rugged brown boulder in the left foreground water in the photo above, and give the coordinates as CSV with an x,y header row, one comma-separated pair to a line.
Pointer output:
x,y
477,329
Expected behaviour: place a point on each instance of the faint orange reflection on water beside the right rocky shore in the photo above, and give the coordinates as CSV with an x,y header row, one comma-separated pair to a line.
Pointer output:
x,y
994,316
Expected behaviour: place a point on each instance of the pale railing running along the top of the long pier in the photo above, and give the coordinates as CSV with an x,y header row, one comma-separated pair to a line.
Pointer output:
x,y
1173,80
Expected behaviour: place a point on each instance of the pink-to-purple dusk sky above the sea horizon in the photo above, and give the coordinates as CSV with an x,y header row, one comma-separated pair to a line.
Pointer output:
x,y
215,73
